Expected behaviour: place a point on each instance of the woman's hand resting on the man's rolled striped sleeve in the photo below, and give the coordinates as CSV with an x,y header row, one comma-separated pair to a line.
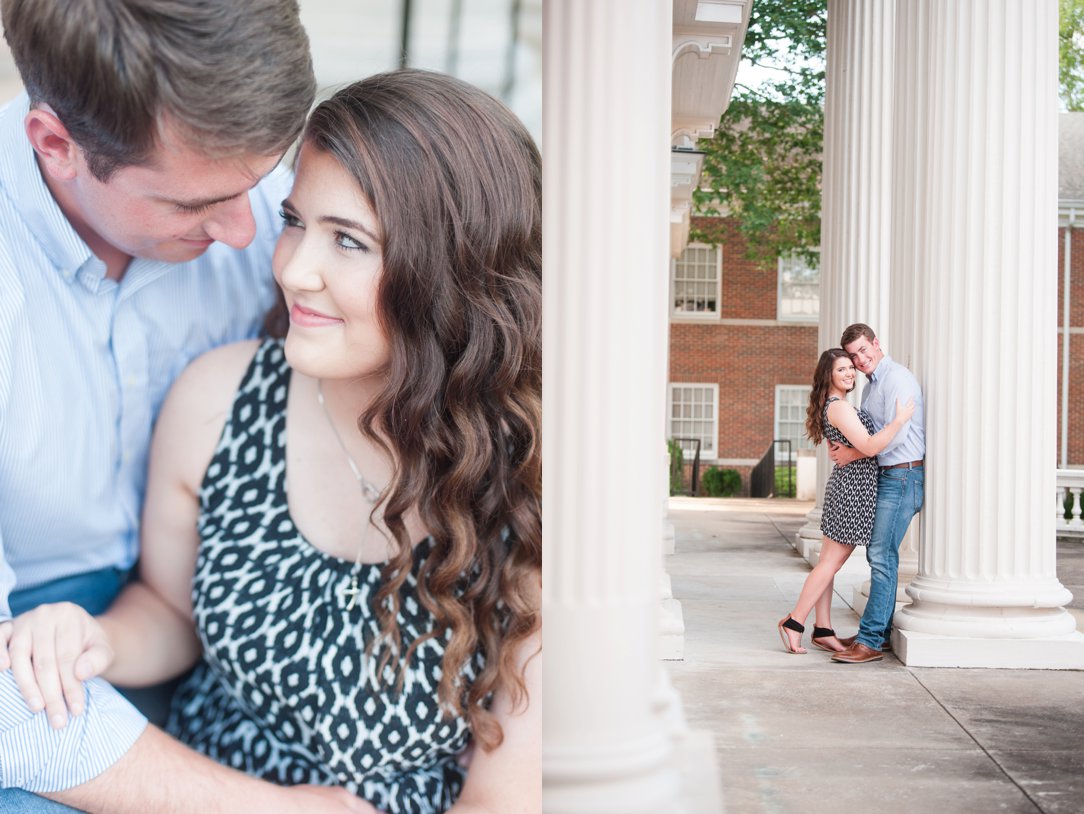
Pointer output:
x,y
51,651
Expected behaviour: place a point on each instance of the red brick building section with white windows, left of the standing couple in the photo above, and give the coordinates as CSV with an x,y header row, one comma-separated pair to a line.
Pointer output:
x,y
743,346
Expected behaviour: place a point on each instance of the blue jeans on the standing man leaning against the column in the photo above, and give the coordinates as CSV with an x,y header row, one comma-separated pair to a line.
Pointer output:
x,y
900,495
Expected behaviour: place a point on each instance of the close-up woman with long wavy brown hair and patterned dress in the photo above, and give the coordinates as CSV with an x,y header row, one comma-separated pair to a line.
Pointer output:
x,y
346,524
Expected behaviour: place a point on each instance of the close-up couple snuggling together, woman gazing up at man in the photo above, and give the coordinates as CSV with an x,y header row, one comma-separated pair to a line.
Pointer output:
x,y
337,507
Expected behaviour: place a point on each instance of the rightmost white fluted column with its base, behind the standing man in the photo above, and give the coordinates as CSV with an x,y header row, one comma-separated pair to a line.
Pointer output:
x,y
985,143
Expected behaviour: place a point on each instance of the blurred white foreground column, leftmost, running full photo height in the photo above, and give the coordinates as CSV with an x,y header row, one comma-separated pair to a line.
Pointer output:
x,y
608,740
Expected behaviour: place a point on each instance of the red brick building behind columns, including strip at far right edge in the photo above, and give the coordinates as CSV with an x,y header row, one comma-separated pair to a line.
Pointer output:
x,y
744,339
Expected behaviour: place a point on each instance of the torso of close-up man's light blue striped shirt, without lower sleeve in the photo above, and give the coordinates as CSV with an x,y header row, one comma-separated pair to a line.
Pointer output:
x,y
85,364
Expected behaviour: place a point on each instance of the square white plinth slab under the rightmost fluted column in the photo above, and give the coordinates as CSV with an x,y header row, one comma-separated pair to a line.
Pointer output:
x,y
930,650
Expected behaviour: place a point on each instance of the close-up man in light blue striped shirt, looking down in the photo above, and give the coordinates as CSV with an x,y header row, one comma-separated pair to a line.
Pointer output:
x,y
138,217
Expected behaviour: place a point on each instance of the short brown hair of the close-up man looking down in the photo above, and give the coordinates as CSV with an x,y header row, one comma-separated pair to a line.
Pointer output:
x,y
230,77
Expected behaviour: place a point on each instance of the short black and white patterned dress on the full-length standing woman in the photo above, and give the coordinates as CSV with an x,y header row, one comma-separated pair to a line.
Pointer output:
x,y
850,497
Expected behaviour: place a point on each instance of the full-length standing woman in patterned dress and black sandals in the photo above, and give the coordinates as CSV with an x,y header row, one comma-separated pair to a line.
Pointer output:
x,y
850,496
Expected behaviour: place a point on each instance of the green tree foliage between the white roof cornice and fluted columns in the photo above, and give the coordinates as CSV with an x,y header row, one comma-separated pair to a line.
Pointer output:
x,y
764,164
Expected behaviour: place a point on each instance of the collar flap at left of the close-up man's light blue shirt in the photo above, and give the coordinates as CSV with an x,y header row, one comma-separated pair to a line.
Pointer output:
x,y
21,180
